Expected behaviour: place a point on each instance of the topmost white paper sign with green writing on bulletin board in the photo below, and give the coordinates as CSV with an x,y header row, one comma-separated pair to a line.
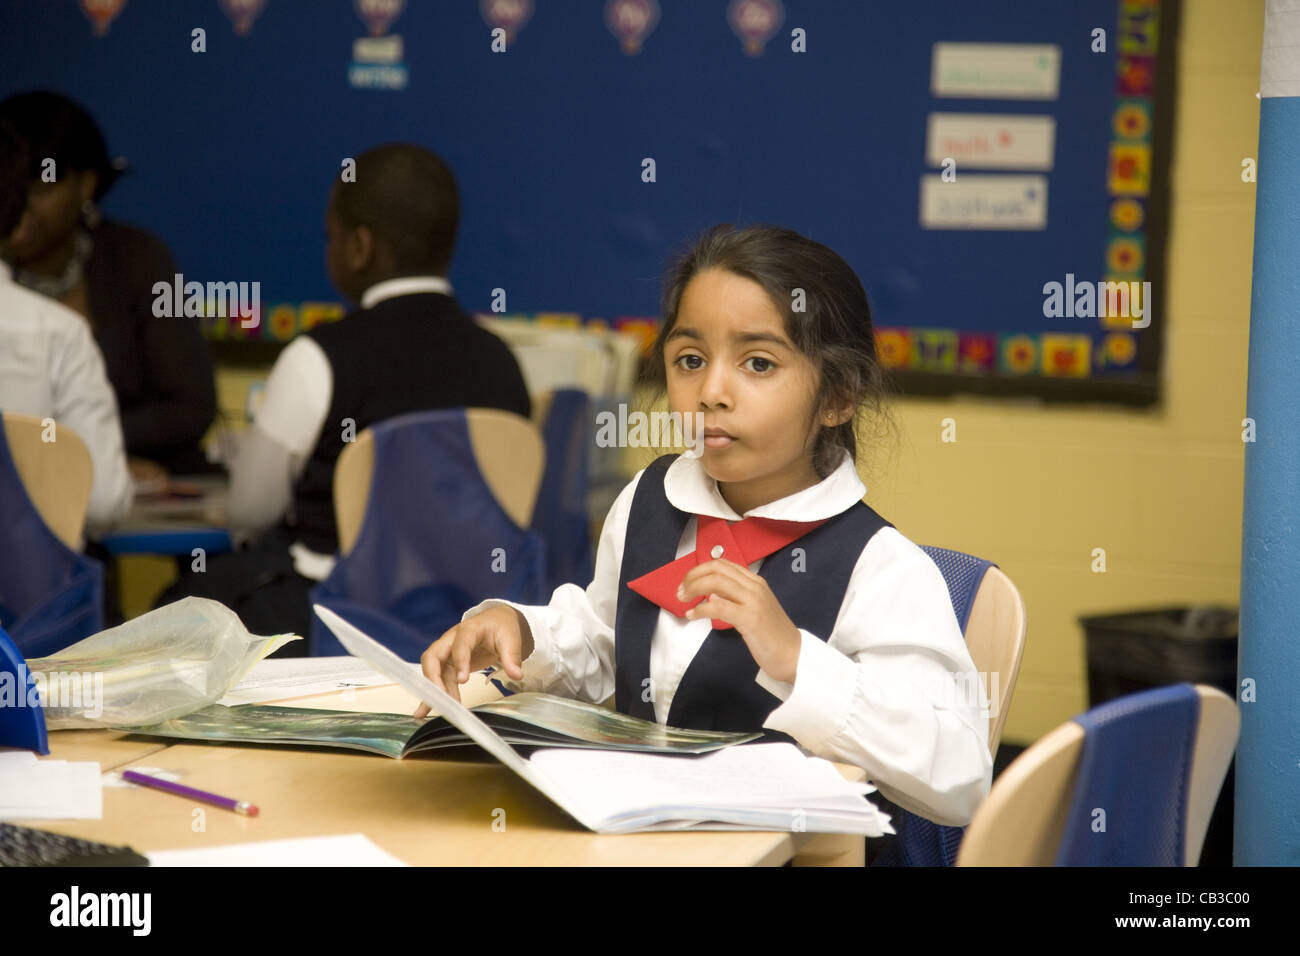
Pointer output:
x,y
996,71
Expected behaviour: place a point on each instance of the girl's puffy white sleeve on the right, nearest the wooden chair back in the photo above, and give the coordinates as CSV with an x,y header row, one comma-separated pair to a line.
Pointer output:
x,y
895,690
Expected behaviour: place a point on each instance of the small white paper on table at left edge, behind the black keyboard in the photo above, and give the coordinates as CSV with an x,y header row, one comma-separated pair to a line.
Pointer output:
x,y
34,789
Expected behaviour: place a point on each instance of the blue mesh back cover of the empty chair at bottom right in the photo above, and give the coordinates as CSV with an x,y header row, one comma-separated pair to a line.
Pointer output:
x,y
1130,797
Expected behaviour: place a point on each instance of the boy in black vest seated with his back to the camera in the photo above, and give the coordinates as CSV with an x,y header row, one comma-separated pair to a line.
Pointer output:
x,y
409,348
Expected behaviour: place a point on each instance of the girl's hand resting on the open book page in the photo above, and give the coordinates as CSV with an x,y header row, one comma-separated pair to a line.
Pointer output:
x,y
499,635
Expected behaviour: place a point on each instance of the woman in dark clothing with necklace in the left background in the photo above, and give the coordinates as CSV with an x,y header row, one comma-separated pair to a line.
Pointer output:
x,y
161,367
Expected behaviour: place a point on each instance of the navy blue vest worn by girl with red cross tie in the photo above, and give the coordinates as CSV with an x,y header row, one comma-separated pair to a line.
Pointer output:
x,y
718,690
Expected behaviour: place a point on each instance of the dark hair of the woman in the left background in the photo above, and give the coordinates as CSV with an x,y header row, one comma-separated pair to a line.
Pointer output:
x,y
58,128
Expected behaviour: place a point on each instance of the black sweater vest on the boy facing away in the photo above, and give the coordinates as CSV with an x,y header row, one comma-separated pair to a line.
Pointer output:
x,y
410,353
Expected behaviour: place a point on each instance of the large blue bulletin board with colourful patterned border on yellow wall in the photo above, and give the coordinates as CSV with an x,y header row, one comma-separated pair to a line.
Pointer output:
x,y
961,157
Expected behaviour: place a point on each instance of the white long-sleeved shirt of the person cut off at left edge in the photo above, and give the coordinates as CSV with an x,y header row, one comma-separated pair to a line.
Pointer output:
x,y
50,367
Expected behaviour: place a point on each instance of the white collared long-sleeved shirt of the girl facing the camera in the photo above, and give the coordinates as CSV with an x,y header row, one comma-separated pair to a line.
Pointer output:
x,y
892,690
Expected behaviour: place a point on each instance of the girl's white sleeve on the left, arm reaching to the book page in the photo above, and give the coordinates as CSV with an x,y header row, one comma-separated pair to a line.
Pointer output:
x,y
574,635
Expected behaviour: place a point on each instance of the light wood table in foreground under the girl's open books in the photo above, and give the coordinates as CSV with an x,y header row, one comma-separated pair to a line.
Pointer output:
x,y
426,811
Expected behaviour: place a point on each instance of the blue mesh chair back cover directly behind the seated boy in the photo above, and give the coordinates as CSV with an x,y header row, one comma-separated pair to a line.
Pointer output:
x,y
434,543
